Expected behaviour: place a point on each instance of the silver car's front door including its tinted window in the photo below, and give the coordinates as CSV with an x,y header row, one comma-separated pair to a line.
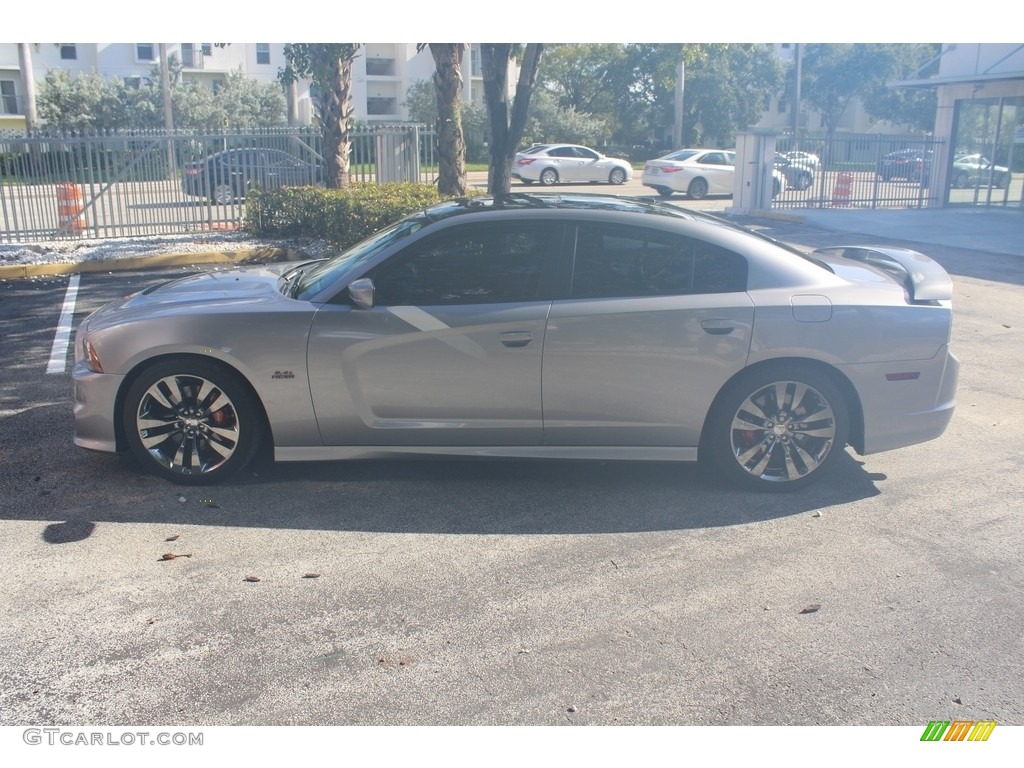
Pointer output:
x,y
451,353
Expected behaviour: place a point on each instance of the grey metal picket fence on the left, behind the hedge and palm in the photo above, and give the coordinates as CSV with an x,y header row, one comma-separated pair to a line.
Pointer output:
x,y
147,184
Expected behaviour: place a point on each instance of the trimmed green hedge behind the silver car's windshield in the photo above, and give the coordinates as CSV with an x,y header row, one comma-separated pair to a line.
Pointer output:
x,y
342,217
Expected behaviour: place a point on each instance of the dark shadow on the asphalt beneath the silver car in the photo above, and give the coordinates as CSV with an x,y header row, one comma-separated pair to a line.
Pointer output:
x,y
79,490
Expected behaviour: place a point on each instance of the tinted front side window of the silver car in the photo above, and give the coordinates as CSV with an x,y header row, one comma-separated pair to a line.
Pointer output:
x,y
492,264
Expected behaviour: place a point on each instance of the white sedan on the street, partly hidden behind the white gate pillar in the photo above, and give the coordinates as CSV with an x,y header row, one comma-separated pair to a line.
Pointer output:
x,y
698,173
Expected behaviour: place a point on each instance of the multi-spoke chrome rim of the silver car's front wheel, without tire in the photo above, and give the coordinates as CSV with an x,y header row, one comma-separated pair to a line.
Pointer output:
x,y
188,424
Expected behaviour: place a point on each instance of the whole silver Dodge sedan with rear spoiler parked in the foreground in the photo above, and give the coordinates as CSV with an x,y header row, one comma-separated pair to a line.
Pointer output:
x,y
574,327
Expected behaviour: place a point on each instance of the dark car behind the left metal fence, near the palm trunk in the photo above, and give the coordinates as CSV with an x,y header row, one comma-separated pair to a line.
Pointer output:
x,y
228,176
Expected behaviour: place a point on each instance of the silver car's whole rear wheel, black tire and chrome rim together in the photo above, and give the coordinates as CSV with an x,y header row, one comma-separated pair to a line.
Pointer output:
x,y
758,444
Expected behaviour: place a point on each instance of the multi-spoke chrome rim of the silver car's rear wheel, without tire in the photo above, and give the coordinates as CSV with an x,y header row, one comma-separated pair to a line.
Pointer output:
x,y
783,432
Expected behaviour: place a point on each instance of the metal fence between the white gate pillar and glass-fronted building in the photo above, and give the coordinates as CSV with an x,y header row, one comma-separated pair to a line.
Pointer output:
x,y
863,172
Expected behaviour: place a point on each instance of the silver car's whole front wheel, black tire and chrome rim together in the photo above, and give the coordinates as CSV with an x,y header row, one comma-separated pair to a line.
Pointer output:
x,y
203,423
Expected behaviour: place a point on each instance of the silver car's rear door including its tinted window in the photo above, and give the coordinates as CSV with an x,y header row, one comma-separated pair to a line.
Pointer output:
x,y
653,326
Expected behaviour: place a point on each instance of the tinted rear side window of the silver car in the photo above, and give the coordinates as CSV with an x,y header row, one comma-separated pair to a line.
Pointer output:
x,y
623,263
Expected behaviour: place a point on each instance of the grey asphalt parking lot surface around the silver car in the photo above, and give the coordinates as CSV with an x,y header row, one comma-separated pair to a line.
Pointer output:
x,y
515,592
